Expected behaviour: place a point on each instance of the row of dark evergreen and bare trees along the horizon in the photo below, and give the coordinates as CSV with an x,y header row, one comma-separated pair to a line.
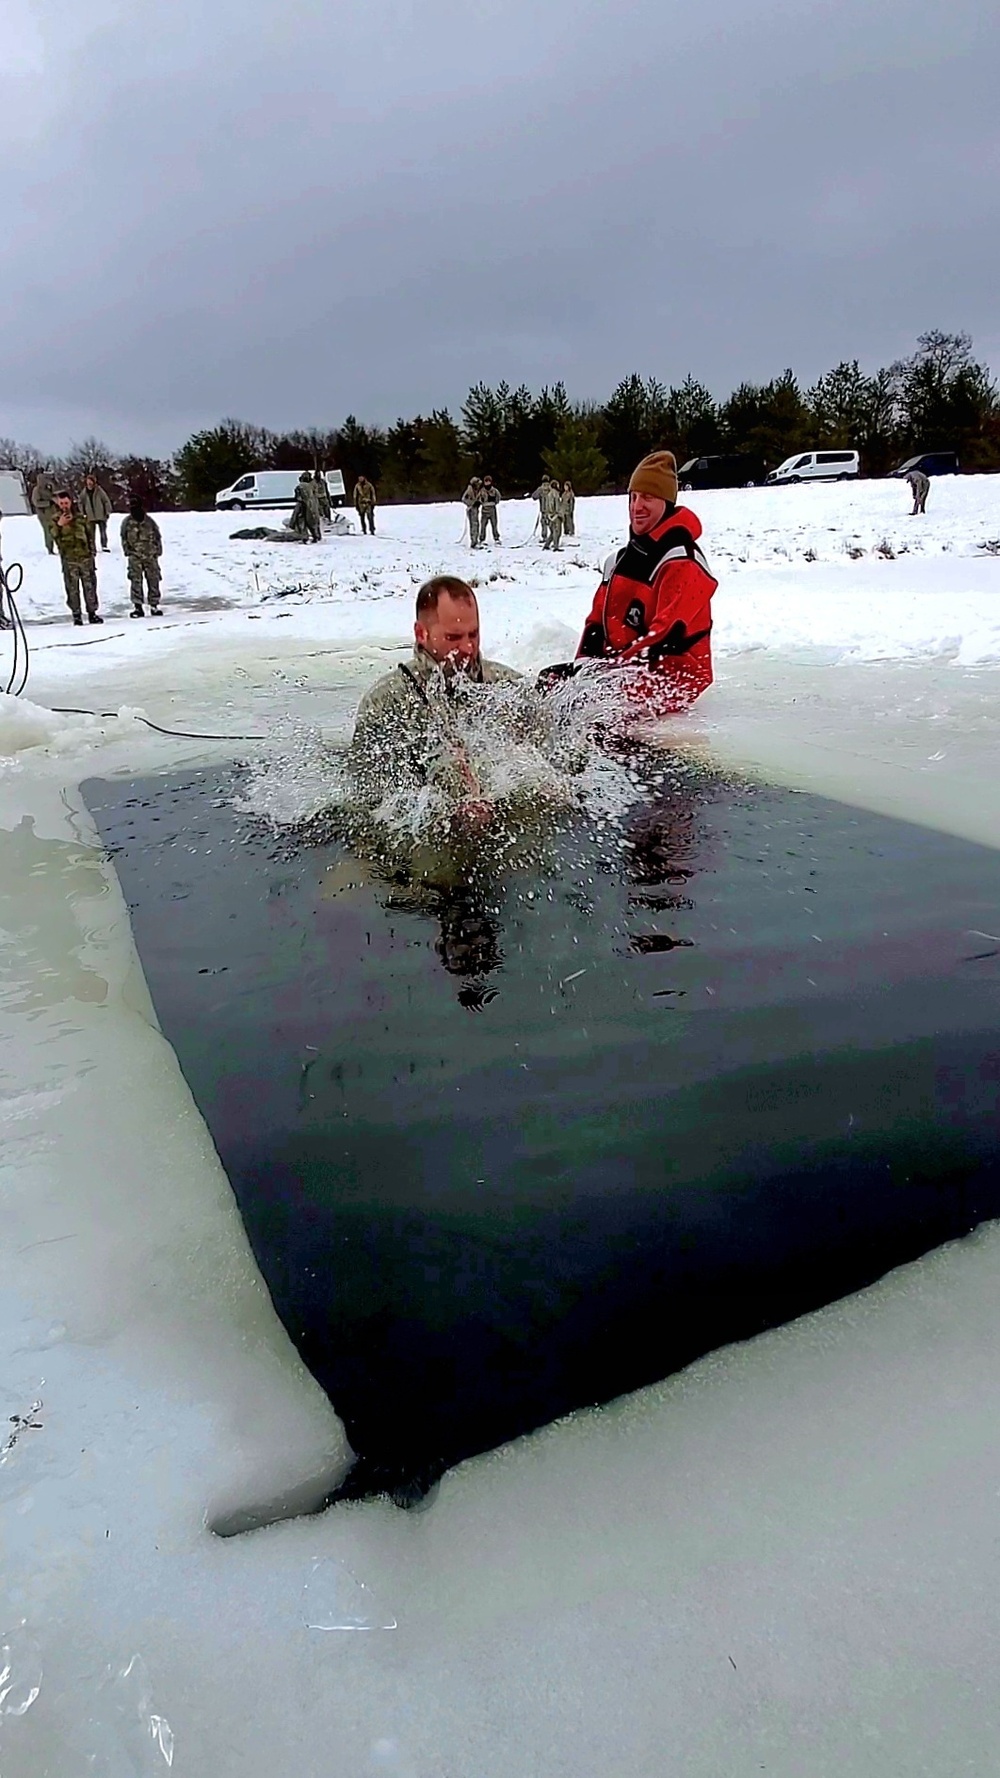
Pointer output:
x,y
937,399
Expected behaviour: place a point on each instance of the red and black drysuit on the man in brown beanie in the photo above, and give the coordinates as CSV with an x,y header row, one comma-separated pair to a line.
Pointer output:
x,y
652,611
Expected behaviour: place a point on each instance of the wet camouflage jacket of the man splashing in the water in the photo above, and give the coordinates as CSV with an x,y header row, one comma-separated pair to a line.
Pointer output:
x,y
405,732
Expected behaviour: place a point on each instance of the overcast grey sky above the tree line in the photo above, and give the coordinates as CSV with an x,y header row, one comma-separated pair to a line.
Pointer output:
x,y
296,211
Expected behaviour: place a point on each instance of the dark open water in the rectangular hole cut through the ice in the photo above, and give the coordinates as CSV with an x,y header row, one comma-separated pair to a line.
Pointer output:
x,y
497,1167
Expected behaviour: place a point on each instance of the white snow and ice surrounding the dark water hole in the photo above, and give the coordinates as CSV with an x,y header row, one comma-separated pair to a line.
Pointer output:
x,y
780,1562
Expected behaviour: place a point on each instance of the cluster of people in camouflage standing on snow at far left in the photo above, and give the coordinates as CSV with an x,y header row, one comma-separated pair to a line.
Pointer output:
x,y
72,524
